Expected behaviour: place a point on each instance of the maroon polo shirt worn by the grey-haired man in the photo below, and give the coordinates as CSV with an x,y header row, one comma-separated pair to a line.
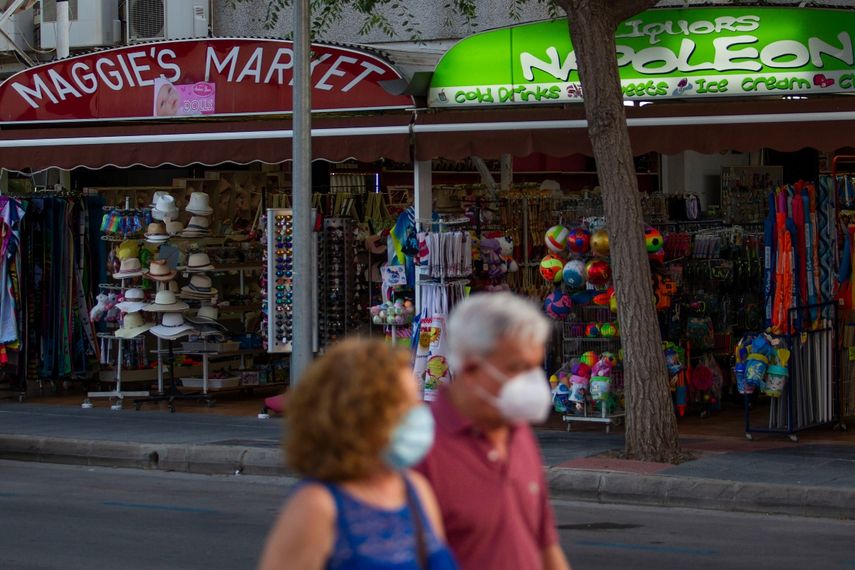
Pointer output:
x,y
496,513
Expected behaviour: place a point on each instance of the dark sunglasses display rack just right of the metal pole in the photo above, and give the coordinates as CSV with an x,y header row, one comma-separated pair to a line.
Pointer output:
x,y
339,313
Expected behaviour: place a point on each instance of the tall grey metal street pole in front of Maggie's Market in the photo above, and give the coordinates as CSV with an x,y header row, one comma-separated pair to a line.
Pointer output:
x,y
301,188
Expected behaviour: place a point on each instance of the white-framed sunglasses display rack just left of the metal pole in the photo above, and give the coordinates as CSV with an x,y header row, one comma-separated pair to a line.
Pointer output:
x,y
278,289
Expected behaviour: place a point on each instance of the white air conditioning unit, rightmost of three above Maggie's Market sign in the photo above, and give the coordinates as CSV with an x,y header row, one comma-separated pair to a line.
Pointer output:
x,y
149,20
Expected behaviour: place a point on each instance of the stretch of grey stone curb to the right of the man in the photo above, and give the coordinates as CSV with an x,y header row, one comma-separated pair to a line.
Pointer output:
x,y
699,493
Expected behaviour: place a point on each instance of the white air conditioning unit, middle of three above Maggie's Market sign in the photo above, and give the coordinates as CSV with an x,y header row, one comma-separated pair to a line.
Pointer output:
x,y
93,23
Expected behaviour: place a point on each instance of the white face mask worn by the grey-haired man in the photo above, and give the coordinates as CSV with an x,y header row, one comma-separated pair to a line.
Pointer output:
x,y
524,398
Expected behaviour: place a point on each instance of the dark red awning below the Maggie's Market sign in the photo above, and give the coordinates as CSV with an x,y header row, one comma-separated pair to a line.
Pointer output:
x,y
199,142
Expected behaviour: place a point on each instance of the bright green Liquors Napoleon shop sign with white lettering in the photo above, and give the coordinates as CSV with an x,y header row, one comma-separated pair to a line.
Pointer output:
x,y
682,53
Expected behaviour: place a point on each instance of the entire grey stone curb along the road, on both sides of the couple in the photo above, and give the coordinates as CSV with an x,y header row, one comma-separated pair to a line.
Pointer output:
x,y
567,484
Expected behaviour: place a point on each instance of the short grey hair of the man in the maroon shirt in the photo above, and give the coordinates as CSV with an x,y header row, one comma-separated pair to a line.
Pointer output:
x,y
478,323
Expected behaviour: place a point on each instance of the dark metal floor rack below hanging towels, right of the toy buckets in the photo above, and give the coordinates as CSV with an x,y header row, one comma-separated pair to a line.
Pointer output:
x,y
811,396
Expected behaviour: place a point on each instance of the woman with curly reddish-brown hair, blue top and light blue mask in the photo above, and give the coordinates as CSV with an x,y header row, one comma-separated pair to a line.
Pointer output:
x,y
355,426
